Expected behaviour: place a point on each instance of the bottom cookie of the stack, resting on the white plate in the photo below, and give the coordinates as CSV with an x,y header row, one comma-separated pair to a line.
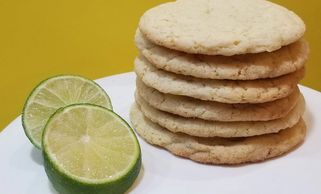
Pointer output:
x,y
219,150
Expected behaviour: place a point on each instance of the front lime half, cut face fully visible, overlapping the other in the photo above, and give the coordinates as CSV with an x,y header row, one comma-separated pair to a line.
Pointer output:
x,y
90,149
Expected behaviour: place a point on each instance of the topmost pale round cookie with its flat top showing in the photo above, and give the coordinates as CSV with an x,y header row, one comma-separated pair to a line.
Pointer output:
x,y
221,27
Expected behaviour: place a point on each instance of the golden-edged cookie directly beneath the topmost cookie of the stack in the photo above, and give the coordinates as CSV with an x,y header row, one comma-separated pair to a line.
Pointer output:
x,y
239,67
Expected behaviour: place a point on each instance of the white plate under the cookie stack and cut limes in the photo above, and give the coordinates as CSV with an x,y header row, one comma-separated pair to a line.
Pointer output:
x,y
21,169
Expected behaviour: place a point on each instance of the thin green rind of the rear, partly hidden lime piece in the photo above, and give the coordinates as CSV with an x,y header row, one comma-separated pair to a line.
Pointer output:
x,y
27,131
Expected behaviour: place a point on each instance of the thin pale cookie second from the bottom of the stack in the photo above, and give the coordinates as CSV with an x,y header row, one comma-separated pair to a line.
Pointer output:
x,y
203,128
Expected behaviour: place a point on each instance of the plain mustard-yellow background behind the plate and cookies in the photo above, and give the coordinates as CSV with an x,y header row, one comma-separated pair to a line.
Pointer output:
x,y
94,38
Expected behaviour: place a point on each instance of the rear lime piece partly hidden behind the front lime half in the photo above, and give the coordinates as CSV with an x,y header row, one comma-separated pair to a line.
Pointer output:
x,y
54,93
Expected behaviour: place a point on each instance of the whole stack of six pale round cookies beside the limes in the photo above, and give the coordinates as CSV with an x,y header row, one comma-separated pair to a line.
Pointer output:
x,y
217,80
